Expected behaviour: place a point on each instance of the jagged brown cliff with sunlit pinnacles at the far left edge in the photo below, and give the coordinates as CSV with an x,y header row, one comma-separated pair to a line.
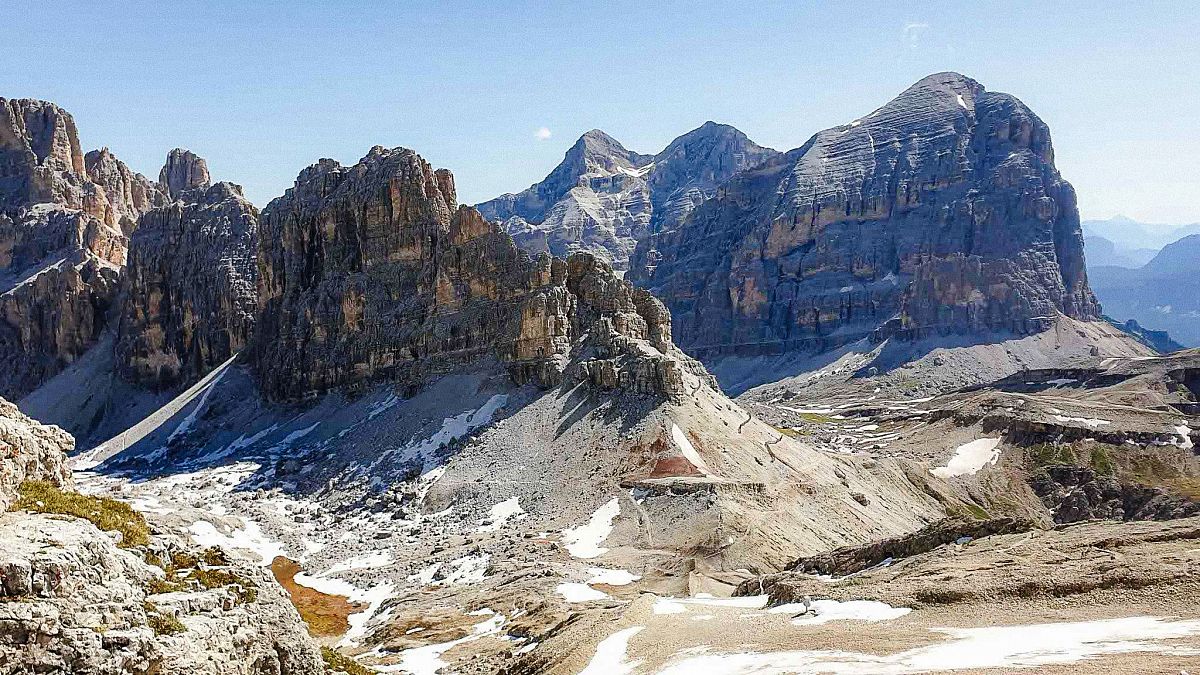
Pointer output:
x,y
64,220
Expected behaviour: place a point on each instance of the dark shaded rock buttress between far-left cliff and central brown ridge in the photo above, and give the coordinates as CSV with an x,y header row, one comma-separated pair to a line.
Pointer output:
x,y
189,288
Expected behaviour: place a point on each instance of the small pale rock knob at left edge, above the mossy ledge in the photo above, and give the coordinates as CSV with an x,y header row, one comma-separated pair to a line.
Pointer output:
x,y
31,451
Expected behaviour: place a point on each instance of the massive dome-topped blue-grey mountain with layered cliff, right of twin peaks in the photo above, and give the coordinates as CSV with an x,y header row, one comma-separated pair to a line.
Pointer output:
x,y
939,213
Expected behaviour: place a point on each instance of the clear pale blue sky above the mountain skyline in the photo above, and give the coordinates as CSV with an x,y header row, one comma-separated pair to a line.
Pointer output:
x,y
263,89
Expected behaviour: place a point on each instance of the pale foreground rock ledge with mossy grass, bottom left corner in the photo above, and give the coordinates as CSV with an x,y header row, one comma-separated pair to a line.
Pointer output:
x,y
88,587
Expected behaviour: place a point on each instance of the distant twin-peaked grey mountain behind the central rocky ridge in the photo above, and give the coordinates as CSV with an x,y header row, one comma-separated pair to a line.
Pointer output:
x,y
604,199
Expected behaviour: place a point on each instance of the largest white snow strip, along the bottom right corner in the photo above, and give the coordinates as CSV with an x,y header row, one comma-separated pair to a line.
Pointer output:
x,y
994,647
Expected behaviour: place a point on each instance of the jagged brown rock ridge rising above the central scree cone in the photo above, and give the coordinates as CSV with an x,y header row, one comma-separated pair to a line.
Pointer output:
x,y
371,272
